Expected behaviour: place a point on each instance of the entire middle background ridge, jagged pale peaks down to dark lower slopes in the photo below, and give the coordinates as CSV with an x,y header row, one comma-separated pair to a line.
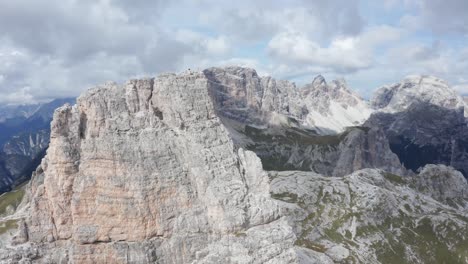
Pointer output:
x,y
280,123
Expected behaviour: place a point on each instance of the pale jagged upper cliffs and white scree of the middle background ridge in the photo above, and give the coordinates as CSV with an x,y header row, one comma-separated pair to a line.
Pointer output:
x,y
242,95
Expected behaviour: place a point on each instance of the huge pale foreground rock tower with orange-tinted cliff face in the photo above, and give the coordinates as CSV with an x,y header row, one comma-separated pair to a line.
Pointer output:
x,y
146,172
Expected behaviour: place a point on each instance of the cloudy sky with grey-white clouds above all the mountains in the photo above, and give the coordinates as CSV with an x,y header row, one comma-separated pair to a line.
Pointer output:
x,y
58,48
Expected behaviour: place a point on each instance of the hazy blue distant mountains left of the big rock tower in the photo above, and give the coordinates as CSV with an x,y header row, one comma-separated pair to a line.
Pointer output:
x,y
24,137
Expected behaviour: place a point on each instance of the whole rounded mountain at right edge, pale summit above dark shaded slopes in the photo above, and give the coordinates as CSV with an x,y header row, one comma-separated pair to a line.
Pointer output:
x,y
424,121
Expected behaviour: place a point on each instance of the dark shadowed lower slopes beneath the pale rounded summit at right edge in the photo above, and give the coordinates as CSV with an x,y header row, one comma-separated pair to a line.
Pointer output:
x,y
426,134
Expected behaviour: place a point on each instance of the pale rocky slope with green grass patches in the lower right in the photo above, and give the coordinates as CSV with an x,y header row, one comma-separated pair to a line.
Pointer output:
x,y
371,216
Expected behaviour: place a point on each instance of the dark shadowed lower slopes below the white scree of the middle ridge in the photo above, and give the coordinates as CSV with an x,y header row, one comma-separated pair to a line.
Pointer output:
x,y
290,147
